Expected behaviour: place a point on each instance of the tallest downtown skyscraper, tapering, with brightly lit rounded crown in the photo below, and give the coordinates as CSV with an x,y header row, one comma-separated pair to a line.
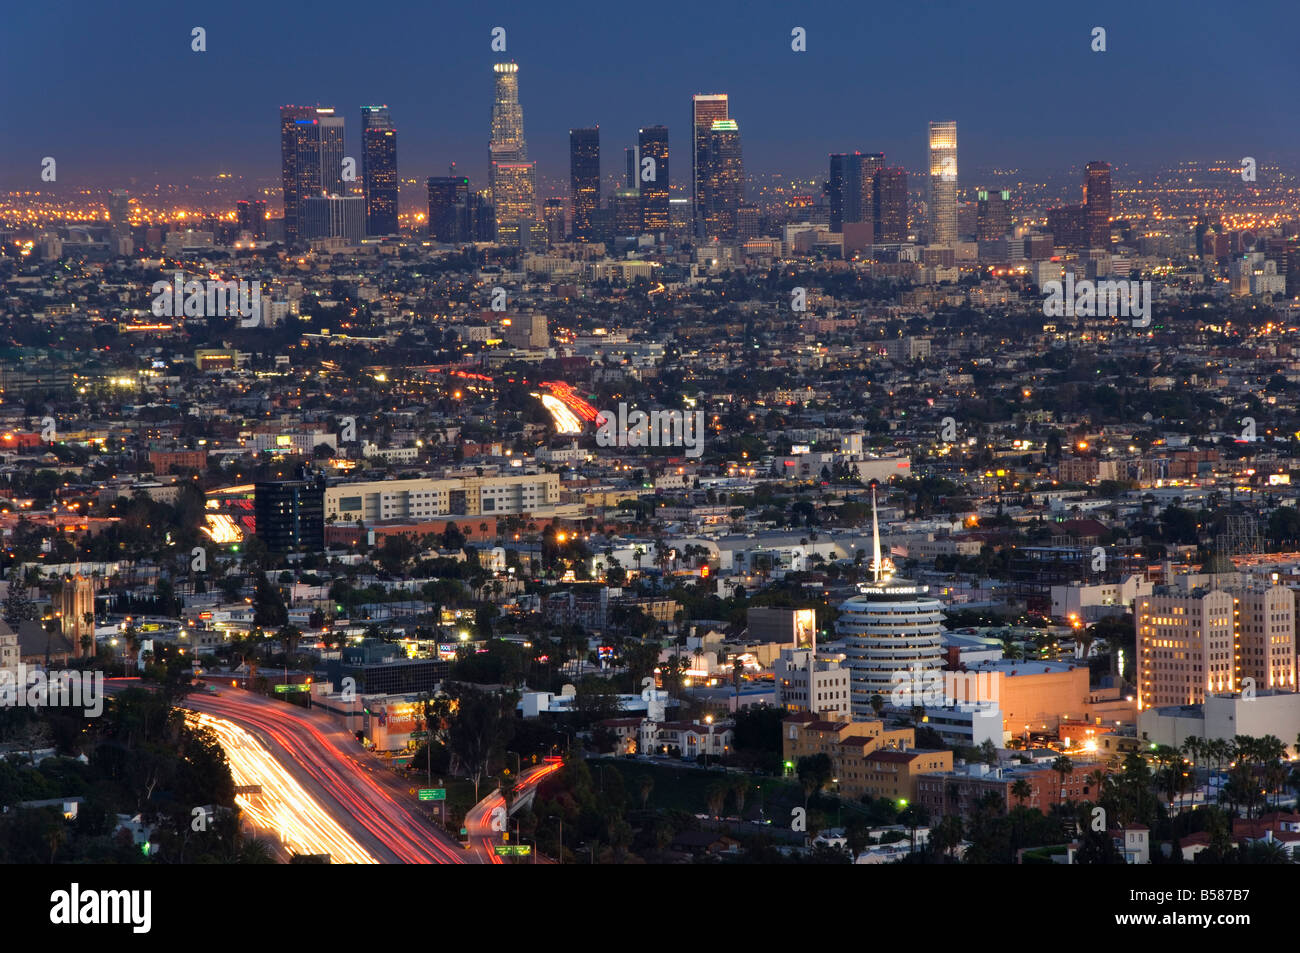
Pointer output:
x,y
513,179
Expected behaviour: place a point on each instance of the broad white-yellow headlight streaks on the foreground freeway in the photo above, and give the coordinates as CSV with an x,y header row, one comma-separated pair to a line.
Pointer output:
x,y
283,807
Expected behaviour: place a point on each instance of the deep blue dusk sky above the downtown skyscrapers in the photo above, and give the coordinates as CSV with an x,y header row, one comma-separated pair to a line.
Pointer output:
x,y
114,90
